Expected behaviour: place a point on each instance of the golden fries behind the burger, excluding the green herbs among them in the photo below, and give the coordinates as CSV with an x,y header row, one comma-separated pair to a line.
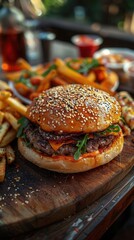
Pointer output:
x,y
60,75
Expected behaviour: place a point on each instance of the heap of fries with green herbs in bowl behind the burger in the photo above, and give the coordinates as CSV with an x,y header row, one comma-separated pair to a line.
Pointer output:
x,y
60,72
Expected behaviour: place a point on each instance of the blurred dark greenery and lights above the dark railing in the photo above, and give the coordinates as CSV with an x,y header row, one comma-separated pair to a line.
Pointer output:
x,y
115,13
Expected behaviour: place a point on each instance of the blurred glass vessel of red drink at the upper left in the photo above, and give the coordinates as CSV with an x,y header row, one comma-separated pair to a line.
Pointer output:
x,y
12,36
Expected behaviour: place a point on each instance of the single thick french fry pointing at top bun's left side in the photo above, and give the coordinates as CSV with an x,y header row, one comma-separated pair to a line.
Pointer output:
x,y
16,105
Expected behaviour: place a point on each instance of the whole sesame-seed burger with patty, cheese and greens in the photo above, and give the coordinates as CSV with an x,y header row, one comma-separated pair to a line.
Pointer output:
x,y
71,128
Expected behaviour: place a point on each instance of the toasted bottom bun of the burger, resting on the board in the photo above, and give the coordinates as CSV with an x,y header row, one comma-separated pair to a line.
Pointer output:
x,y
67,164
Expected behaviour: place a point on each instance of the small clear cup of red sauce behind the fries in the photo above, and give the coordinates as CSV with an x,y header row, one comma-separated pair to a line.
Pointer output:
x,y
87,44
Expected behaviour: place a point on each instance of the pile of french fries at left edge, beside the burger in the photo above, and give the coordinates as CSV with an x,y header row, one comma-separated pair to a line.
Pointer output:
x,y
11,109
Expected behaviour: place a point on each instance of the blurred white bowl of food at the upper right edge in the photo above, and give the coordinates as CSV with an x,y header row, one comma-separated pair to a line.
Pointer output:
x,y
115,58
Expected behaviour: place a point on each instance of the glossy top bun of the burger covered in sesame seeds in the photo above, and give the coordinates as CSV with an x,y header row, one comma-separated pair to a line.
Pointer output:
x,y
74,108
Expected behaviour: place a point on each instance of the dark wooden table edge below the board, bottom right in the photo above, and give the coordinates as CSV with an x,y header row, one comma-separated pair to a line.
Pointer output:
x,y
92,222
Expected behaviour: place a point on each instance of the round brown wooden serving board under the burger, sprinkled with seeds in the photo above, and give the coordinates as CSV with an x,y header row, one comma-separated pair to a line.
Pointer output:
x,y
32,197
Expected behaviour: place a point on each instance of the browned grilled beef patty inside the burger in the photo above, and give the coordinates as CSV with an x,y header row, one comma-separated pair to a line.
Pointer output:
x,y
39,139
